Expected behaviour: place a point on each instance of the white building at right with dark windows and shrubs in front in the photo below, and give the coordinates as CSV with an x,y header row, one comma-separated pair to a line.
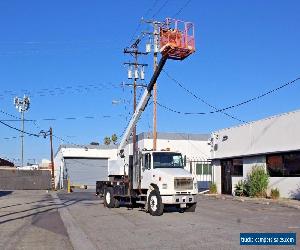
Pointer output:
x,y
273,142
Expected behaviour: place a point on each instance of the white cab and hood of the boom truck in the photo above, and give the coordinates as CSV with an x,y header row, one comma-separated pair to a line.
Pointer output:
x,y
164,172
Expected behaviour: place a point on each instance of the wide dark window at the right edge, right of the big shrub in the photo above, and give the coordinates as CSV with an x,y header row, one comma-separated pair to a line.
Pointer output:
x,y
287,164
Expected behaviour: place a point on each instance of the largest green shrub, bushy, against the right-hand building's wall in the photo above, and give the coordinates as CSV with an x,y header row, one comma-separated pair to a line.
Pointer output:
x,y
258,181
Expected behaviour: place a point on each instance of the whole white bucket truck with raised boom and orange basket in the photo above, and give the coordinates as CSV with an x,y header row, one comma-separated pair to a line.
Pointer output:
x,y
152,179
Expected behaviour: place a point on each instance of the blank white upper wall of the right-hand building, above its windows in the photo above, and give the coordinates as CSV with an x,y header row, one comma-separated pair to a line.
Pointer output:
x,y
275,134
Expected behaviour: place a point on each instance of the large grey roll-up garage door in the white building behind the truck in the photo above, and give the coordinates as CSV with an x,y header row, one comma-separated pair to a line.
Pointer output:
x,y
86,171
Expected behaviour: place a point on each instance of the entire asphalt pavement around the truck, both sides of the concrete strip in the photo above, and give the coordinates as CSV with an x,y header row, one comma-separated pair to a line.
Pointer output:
x,y
38,220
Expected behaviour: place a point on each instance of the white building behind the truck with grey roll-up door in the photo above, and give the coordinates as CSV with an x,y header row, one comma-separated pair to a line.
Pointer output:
x,y
86,164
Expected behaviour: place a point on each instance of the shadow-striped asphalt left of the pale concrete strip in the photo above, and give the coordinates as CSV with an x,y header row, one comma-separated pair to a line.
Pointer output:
x,y
30,220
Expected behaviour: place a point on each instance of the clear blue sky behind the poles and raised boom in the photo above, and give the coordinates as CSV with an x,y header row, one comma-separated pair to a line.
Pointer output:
x,y
67,56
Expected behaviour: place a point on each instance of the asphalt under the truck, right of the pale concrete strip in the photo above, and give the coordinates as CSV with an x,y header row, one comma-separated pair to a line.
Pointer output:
x,y
216,224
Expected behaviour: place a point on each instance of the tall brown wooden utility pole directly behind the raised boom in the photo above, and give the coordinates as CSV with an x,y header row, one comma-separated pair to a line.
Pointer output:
x,y
155,35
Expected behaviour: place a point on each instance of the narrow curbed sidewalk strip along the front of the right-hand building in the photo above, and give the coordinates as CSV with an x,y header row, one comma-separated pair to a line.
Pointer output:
x,y
281,201
